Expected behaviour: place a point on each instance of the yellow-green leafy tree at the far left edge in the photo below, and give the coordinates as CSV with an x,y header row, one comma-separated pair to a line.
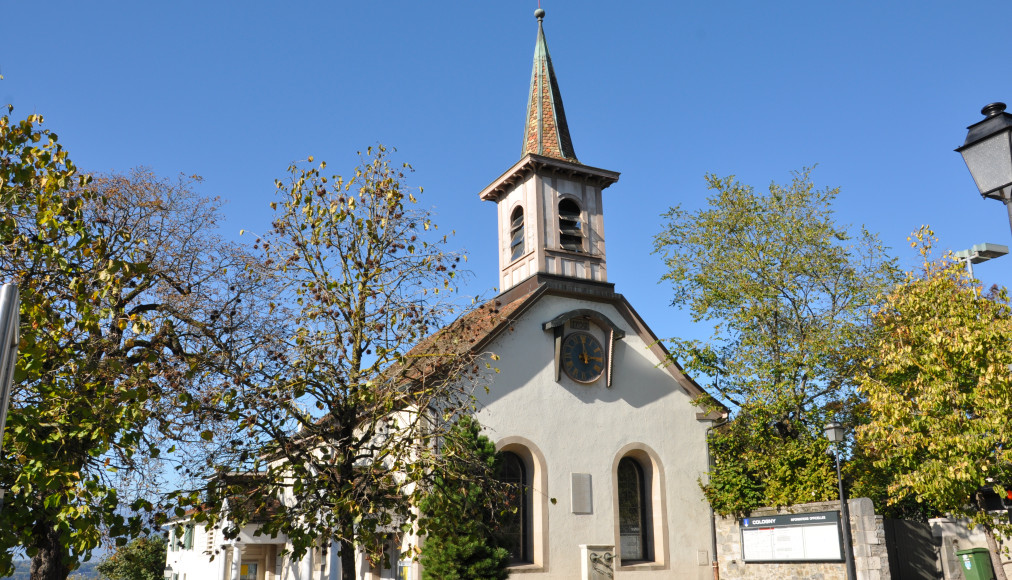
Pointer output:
x,y
44,233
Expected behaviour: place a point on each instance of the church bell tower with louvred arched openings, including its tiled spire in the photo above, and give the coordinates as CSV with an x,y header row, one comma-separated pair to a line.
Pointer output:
x,y
550,207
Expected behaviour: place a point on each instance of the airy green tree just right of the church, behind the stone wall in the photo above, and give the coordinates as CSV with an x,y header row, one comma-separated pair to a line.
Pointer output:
x,y
790,294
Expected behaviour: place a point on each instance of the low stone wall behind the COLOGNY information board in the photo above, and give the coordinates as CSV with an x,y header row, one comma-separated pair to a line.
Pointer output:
x,y
868,530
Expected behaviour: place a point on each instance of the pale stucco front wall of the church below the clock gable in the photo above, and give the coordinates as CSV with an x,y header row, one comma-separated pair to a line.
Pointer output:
x,y
585,430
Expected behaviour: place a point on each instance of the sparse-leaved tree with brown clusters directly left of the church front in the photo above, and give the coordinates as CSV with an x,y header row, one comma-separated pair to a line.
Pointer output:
x,y
342,406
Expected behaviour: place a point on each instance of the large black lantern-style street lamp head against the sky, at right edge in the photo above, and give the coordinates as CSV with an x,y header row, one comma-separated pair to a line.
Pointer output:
x,y
988,153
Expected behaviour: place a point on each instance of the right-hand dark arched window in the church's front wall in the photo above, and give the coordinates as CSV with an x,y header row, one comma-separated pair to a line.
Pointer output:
x,y
634,523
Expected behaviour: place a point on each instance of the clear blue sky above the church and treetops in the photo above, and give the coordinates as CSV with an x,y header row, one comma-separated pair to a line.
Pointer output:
x,y
877,94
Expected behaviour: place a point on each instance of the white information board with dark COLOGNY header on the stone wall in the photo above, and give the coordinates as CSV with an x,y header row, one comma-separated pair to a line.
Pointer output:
x,y
793,538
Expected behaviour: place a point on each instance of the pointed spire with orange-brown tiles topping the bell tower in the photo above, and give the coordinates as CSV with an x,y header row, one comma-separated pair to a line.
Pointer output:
x,y
546,132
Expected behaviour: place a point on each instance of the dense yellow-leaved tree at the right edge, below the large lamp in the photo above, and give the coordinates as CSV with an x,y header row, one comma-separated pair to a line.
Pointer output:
x,y
940,392
